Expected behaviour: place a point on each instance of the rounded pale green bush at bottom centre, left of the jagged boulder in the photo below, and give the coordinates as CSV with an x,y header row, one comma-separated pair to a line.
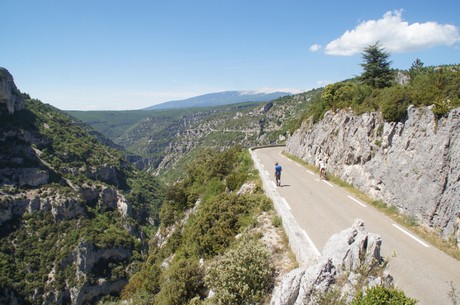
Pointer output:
x,y
243,275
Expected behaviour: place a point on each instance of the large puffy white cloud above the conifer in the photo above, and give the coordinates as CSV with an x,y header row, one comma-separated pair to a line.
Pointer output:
x,y
394,34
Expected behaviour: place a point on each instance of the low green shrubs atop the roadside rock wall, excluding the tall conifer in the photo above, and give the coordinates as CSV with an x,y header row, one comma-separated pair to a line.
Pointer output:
x,y
436,86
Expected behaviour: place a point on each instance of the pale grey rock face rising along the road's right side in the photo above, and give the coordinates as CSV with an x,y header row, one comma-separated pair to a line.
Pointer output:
x,y
412,165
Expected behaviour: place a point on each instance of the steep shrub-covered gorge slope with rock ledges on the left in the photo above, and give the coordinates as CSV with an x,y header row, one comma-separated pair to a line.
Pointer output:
x,y
74,217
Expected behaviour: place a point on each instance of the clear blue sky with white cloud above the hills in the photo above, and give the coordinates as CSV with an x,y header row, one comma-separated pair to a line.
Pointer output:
x,y
121,55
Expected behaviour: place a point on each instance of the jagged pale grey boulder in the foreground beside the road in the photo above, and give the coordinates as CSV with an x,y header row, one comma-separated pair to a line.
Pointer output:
x,y
345,258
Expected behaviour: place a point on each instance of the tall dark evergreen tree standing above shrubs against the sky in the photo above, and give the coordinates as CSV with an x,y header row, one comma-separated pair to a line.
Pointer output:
x,y
377,72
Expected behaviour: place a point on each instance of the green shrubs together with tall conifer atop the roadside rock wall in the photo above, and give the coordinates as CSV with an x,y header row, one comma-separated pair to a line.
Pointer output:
x,y
391,91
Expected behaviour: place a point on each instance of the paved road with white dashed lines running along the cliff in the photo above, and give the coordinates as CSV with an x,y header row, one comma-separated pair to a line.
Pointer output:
x,y
323,209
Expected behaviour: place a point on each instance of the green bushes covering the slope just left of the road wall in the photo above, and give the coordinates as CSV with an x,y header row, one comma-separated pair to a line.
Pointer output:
x,y
173,273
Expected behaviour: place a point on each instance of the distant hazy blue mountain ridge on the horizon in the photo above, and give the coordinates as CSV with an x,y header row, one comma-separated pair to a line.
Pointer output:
x,y
221,98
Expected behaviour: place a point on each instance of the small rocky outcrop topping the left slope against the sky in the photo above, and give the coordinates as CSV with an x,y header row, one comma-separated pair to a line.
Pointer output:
x,y
10,97
